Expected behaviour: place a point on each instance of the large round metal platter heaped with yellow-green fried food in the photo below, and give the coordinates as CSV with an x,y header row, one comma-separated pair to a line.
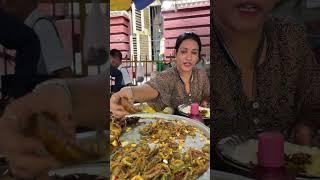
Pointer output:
x,y
160,146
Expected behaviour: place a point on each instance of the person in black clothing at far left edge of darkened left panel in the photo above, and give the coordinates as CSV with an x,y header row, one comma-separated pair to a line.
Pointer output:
x,y
15,35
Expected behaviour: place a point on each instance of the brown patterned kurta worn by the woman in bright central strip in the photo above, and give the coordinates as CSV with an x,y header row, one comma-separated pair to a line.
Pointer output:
x,y
172,91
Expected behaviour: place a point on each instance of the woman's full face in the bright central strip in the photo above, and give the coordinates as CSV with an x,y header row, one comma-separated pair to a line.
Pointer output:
x,y
187,55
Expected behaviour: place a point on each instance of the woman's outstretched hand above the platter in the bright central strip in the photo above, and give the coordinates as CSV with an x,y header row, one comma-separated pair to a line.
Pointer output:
x,y
116,106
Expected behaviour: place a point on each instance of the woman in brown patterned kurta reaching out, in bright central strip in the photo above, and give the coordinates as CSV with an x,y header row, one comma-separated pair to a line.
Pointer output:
x,y
178,85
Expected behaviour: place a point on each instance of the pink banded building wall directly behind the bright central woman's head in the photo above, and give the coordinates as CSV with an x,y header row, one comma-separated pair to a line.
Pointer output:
x,y
189,17
